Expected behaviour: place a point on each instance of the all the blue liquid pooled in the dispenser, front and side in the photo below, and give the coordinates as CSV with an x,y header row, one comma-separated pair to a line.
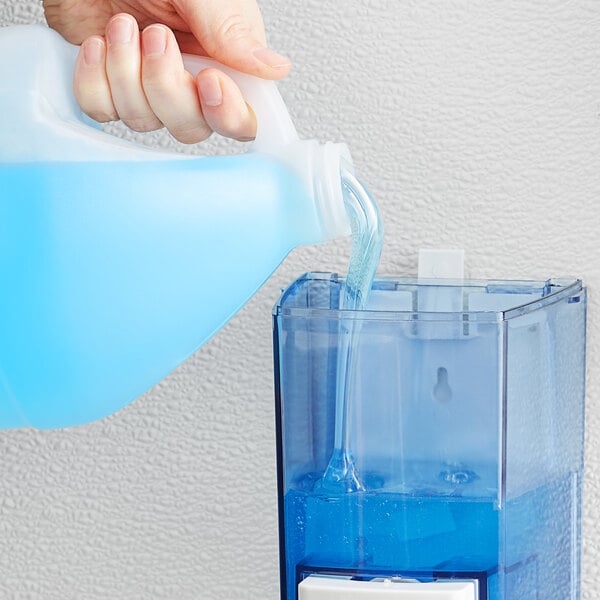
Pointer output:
x,y
380,532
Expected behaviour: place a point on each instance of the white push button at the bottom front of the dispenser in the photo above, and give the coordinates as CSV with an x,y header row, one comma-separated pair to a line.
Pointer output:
x,y
333,588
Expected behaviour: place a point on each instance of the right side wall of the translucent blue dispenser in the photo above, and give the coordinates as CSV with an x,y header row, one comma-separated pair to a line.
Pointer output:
x,y
543,462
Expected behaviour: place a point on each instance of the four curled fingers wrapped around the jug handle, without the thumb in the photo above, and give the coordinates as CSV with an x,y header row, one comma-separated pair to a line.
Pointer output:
x,y
141,80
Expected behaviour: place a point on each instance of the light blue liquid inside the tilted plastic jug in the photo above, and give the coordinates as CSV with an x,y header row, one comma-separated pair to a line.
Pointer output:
x,y
114,273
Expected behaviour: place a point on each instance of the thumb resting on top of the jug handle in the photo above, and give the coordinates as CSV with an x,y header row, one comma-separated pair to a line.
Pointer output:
x,y
232,32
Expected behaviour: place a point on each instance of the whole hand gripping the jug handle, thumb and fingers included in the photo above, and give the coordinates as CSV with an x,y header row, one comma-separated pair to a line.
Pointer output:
x,y
139,78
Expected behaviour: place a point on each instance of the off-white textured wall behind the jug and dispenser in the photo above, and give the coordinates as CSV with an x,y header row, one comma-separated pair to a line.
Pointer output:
x,y
476,125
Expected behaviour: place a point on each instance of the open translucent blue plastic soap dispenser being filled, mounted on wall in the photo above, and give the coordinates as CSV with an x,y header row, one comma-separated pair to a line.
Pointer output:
x,y
463,425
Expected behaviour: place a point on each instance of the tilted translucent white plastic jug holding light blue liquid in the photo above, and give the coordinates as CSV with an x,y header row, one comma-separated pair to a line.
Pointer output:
x,y
118,261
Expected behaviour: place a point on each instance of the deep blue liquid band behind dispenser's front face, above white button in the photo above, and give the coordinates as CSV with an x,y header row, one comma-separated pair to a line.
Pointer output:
x,y
388,531
